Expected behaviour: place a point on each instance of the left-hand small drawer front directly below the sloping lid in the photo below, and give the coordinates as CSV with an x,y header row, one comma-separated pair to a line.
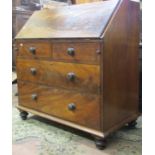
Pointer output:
x,y
34,49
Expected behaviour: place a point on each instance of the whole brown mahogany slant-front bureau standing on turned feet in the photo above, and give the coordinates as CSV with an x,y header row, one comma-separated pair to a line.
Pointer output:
x,y
78,65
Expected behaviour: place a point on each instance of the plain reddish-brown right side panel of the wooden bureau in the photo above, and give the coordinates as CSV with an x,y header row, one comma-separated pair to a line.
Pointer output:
x,y
120,66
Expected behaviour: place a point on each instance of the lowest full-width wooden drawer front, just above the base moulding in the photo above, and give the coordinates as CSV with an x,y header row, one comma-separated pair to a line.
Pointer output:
x,y
83,109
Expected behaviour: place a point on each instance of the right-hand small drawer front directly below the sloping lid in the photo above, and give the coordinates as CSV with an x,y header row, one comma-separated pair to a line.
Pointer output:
x,y
77,52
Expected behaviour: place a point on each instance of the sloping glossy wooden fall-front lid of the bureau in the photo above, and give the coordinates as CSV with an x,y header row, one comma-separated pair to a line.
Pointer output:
x,y
75,21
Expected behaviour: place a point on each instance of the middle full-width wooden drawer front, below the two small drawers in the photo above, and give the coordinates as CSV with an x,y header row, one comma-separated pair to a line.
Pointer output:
x,y
65,75
